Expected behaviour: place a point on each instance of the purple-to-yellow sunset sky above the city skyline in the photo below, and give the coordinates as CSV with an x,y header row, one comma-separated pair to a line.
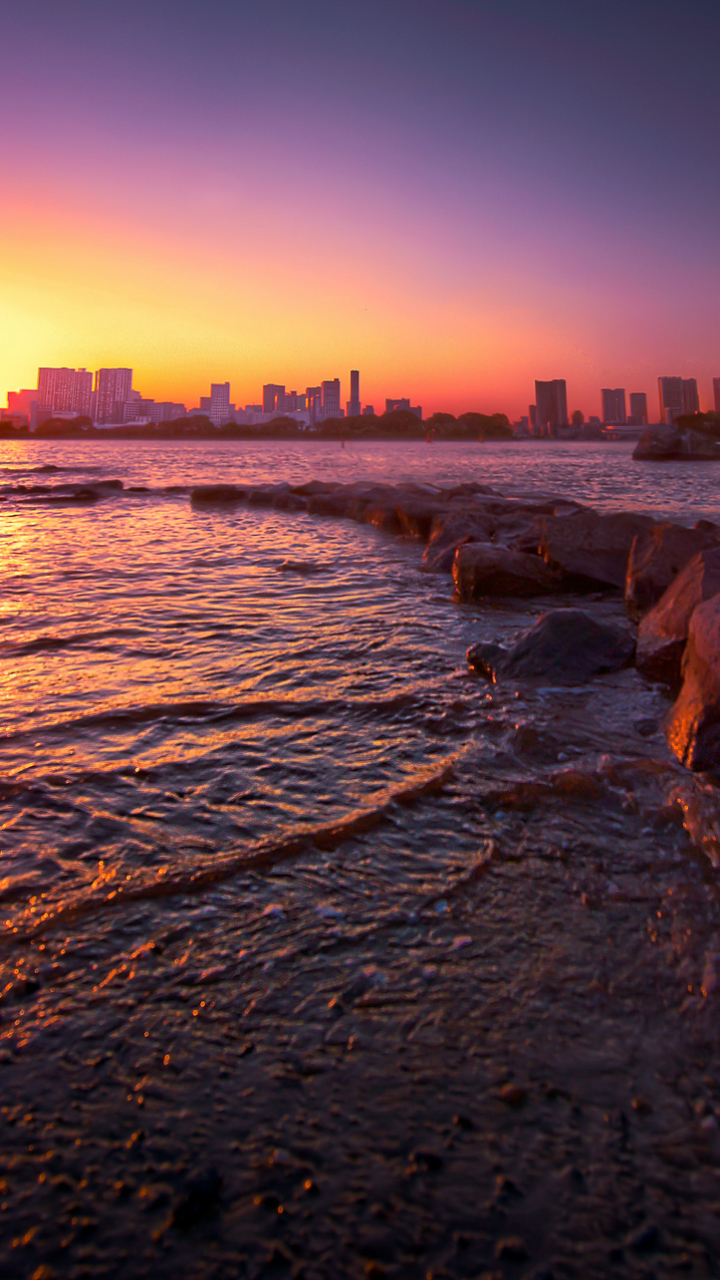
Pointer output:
x,y
454,196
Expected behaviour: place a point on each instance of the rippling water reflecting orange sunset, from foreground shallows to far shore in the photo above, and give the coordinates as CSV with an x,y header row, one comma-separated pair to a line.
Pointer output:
x,y
288,892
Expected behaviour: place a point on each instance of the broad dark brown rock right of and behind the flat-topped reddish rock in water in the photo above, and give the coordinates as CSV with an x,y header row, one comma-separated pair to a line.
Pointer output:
x,y
591,550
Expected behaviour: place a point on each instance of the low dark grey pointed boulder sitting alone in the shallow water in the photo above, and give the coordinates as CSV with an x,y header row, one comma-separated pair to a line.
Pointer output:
x,y
567,647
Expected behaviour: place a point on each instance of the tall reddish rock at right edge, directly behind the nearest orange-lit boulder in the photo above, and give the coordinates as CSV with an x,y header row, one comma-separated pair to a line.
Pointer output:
x,y
664,632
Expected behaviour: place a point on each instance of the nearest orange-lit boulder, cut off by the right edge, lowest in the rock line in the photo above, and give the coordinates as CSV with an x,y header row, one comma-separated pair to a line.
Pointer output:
x,y
694,725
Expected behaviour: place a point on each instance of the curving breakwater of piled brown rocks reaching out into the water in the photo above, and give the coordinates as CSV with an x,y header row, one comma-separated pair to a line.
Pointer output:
x,y
520,548
